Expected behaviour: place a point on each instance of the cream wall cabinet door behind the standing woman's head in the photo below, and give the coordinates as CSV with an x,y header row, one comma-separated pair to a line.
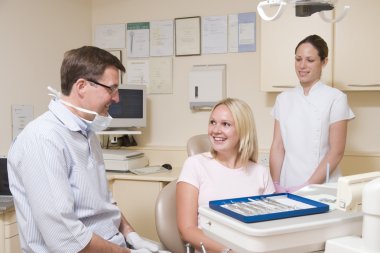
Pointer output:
x,y
278,41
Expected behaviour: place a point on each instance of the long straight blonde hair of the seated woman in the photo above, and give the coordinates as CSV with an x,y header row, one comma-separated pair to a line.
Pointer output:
x,y
245,127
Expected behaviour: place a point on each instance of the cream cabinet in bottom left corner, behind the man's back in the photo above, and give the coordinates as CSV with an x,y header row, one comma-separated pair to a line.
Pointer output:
x,y
9,238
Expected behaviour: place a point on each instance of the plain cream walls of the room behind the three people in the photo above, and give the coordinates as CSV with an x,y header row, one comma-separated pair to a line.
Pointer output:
x,y
35,34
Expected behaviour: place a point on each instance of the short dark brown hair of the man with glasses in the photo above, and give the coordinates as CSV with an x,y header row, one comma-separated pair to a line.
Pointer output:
x,y
87,62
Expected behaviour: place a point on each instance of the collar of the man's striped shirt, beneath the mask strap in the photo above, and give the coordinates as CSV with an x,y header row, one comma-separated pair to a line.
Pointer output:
x,y
69,119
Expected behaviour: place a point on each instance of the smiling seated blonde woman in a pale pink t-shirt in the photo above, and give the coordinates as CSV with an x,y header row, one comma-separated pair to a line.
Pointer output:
x,y
230,170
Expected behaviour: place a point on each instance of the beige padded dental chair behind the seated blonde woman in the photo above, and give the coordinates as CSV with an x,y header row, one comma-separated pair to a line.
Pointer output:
x,y
166,212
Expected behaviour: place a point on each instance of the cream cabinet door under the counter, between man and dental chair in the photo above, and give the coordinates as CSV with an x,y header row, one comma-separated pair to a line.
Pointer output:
x,y
137,200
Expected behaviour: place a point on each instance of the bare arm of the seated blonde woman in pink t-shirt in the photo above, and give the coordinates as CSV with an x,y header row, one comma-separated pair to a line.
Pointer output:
x,y
187,219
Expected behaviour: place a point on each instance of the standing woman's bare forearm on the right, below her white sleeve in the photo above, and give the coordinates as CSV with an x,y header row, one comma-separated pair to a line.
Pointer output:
x,y
337,142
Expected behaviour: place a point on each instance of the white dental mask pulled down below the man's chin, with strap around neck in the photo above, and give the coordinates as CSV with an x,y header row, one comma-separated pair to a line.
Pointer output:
x,y
99,123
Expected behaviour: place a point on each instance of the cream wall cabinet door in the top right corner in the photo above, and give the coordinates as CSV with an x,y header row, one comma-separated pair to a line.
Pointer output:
x,y
357,49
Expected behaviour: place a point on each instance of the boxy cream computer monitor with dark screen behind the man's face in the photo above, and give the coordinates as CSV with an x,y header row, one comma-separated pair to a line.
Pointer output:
x,y
131,110
